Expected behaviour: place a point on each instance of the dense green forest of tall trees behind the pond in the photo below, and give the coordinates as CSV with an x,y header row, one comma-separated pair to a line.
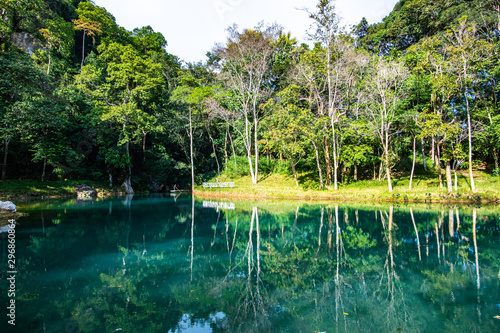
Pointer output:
x,y
83,98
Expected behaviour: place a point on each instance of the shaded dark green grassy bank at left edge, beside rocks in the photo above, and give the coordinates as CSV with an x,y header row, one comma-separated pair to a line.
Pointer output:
x,y
20,189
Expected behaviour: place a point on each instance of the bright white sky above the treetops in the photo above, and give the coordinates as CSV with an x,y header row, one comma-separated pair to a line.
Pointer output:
x,y
193,27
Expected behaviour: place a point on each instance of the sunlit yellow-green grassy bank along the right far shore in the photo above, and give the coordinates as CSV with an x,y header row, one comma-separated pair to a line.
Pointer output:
x,y
425,189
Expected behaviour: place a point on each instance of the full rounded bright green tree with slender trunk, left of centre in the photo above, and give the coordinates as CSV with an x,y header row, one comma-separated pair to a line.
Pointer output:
x,y
122,82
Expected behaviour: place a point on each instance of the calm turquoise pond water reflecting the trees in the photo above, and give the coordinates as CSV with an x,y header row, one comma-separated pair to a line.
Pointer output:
x,y
165,264
